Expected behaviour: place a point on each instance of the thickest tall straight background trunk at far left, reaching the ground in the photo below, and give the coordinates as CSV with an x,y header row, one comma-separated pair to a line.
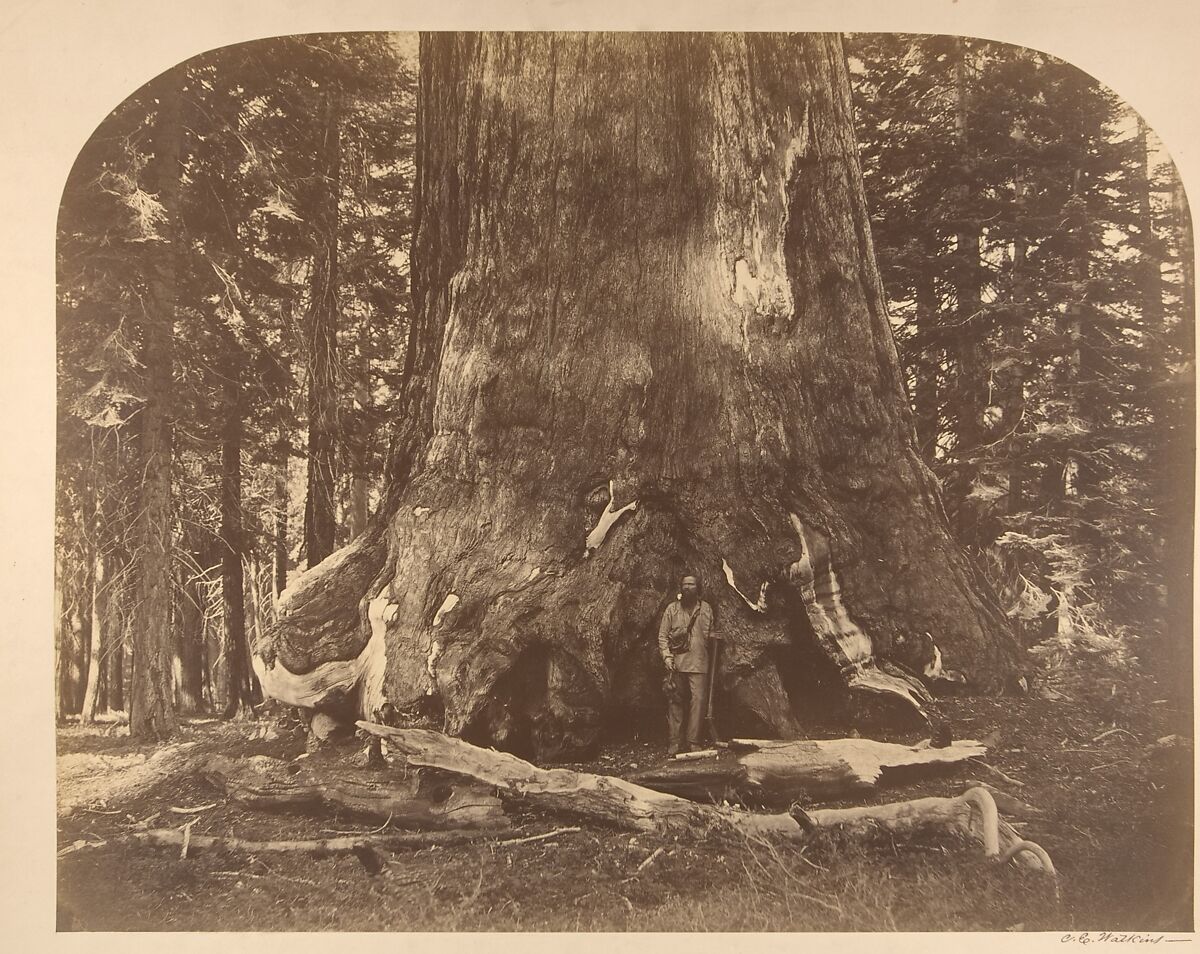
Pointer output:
x,y
152,715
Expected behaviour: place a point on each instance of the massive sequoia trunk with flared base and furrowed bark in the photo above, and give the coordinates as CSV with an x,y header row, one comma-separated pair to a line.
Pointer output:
x,y
649,335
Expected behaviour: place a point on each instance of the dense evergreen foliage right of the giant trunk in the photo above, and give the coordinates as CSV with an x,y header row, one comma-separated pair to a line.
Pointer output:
x,y
1047,447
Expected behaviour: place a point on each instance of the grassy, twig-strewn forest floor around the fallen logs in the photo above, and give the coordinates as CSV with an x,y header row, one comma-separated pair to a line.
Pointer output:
x,y
1115,815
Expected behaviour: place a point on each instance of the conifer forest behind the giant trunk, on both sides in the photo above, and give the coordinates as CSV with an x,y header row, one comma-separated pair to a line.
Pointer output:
x,y
1035,245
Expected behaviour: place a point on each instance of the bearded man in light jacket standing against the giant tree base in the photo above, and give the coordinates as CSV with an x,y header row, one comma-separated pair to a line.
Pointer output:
x,y
685,633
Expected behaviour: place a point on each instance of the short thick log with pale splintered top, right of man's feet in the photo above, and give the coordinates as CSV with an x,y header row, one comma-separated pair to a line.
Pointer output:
x,y
779,772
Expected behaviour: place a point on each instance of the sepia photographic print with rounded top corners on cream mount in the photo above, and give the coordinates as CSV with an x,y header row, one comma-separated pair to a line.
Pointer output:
x,y
405,383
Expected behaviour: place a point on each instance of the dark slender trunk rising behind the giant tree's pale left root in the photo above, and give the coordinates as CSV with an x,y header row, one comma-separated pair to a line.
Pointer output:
x,y
322,349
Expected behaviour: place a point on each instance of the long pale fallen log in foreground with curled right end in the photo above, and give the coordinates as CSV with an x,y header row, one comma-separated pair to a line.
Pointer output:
x,y
627,805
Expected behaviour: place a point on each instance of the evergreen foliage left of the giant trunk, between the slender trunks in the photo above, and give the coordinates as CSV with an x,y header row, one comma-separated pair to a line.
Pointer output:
x,y
244,244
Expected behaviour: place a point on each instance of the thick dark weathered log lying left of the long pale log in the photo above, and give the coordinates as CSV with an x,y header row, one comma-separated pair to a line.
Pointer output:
x,y
411,801
